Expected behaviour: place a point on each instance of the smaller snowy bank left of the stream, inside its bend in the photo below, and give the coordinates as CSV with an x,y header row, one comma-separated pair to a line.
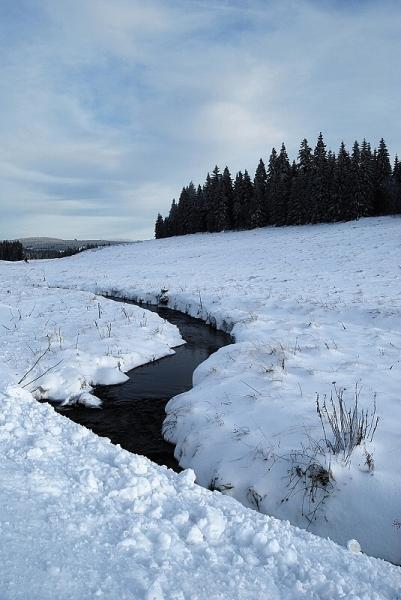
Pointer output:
x,y
60,343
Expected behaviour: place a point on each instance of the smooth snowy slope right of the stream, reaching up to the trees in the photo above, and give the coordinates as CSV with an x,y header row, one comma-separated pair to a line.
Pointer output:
x,y
308,306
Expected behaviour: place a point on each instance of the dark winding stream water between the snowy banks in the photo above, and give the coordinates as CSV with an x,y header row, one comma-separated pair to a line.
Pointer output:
x,y
132,413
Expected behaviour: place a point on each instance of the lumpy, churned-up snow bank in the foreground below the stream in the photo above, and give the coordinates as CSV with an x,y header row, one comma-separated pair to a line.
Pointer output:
x,y
81,518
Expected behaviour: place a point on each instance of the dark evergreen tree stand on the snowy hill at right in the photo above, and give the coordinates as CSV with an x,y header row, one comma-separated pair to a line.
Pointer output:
x,y
320,186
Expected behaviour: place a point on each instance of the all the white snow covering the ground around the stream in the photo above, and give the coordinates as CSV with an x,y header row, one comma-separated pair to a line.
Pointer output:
x,y
307,306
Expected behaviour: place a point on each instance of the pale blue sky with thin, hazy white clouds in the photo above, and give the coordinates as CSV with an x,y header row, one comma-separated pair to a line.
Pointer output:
x,y
109,107
